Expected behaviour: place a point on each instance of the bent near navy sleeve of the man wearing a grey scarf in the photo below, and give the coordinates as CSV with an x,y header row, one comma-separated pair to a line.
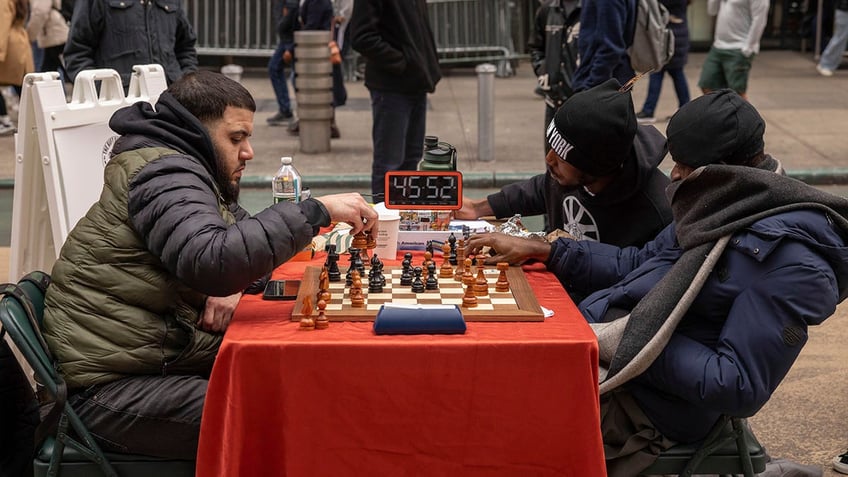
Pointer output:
x,y
766,328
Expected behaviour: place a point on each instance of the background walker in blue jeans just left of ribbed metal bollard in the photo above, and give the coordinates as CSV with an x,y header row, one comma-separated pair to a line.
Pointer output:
x,y
286,18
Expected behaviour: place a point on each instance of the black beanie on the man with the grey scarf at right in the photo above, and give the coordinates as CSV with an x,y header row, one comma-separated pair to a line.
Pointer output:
x,y
717,127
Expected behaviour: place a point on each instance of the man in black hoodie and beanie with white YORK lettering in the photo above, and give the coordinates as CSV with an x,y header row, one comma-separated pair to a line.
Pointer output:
x,y
601,183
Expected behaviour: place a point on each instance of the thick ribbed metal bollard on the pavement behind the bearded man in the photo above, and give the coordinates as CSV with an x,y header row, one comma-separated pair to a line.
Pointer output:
x,y
314,90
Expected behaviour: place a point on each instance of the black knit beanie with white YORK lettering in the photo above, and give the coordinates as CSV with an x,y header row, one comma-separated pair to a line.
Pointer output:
x,y
594,129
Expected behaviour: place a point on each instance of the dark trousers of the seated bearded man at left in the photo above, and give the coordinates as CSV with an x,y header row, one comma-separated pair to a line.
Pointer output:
x,y
149,415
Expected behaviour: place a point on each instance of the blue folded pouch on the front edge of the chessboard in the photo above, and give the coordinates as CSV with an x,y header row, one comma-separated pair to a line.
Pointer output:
x,y
419,319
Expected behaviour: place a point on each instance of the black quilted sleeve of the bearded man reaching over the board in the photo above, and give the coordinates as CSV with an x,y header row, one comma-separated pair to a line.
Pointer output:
x,y
173,205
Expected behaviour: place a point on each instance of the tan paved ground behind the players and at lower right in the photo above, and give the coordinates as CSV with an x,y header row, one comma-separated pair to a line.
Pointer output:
x,y
806,116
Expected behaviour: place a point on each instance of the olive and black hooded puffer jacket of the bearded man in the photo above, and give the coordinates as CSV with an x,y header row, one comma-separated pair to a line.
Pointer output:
x,y
133,276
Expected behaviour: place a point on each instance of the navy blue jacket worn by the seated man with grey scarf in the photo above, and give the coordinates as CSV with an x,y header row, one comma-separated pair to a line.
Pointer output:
x,y
743,331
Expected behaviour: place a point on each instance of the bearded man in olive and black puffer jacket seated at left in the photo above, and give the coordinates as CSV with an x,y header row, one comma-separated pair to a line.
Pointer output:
x,y
148,280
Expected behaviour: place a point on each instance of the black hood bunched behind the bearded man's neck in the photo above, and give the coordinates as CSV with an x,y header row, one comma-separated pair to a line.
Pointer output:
x,y
169,124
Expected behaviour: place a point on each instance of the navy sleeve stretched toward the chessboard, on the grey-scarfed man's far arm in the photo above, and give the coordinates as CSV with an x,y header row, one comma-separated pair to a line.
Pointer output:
x,y
586,266
